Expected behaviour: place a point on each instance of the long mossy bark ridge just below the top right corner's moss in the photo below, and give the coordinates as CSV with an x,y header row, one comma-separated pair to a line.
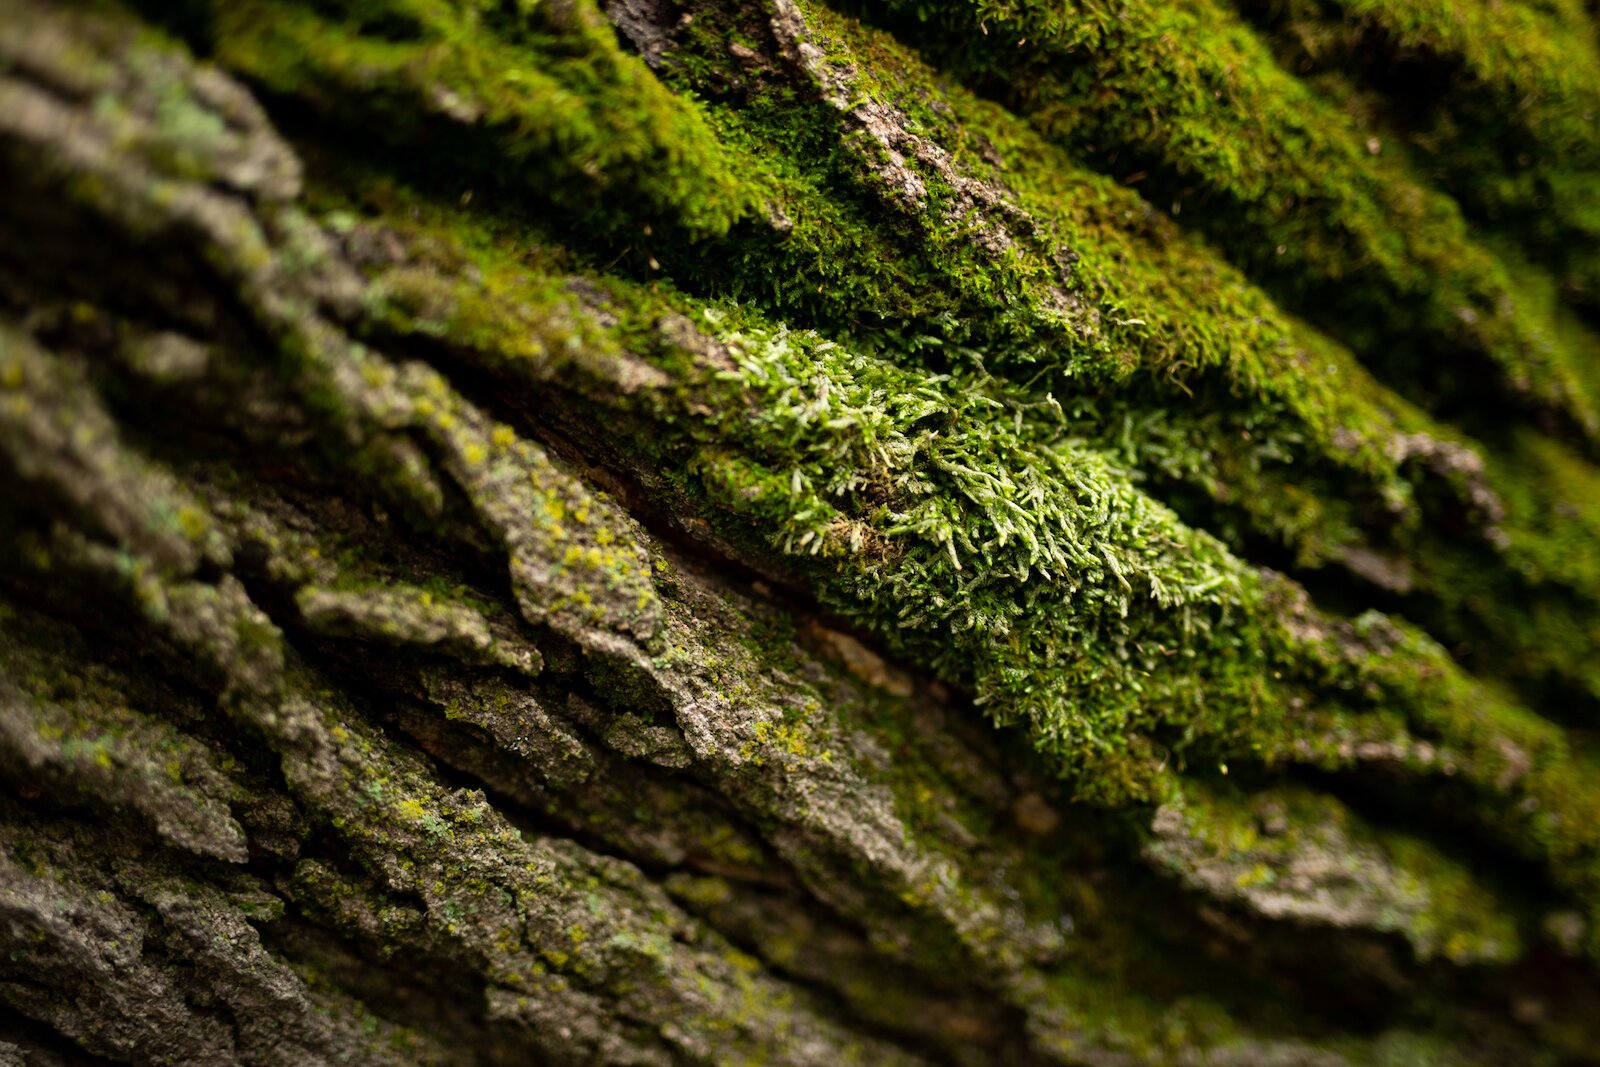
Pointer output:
x,y
1246,146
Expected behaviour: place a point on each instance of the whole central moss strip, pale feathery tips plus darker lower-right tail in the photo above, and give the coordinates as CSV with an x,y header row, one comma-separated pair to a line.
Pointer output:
x,y
889,479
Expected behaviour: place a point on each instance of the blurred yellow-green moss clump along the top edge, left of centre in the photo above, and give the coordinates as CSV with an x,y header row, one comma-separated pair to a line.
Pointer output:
x,y
534,98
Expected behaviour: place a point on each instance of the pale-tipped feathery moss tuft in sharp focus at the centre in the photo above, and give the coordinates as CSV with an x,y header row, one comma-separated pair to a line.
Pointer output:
x,y
962,521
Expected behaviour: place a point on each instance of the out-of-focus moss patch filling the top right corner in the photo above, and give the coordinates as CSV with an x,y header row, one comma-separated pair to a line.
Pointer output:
x,y
1498,103
